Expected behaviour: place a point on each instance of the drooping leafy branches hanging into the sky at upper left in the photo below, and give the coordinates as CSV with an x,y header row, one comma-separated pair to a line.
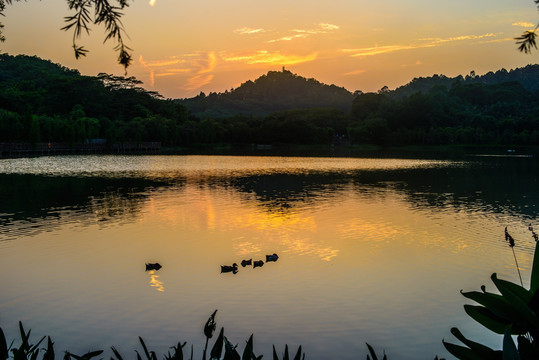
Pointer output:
x,y
103,14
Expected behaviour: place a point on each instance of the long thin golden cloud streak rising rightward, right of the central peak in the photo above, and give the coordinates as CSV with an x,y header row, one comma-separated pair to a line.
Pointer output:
x,y
422,43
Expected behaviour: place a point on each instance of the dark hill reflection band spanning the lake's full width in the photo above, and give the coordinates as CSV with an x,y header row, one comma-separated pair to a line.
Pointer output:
x,y
497,185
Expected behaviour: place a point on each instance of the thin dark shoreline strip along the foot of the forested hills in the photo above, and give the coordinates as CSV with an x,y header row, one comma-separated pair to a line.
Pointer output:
x,y
17,150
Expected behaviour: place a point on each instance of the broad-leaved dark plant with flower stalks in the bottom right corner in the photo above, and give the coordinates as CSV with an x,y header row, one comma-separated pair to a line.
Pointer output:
x,y
512,312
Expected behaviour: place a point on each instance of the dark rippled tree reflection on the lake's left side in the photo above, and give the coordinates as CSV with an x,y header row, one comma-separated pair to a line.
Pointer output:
x,y
37,203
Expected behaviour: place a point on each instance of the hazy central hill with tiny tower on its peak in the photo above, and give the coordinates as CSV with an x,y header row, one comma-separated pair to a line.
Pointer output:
x,y
274,91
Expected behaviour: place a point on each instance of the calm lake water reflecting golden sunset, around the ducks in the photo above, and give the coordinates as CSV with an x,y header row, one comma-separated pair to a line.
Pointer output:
x,y
371,250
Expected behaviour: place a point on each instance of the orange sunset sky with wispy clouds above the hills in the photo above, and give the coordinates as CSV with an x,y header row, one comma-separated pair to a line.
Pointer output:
x,y
184,47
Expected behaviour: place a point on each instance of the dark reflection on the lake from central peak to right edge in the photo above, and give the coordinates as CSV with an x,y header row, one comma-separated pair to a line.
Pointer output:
x,y
495,185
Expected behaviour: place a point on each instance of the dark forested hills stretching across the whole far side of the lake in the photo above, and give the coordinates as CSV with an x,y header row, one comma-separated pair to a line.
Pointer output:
x,y
44,102
